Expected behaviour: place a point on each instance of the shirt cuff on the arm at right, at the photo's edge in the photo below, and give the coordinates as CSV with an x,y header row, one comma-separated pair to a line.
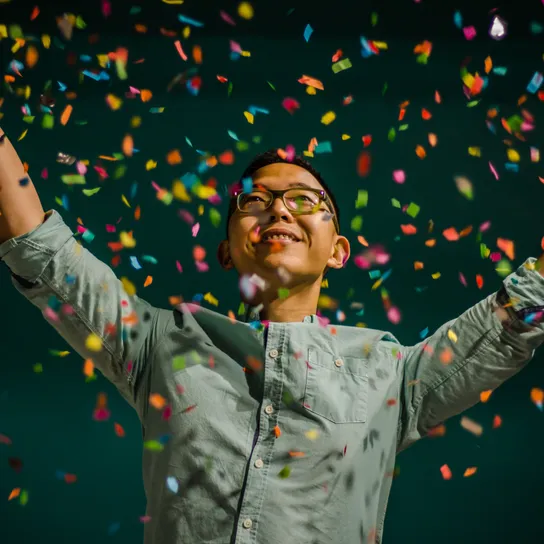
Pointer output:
x,y
525,289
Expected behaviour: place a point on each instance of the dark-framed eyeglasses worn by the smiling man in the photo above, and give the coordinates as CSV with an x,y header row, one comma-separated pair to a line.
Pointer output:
x,y
299,201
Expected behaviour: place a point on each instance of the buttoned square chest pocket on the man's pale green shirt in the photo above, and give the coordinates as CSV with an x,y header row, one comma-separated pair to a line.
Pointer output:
x,y
336,387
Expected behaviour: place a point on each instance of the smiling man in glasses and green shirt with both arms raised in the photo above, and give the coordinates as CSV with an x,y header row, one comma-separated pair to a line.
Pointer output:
x,y
278,428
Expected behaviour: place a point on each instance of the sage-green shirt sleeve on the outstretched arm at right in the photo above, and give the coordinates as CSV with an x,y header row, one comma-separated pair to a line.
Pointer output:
x,y
492,341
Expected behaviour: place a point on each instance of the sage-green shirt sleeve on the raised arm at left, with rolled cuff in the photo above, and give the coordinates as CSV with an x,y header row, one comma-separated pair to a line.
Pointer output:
x,y
83,300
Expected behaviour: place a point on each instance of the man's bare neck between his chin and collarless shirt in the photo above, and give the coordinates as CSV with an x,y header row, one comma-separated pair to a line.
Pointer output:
x,y
302,301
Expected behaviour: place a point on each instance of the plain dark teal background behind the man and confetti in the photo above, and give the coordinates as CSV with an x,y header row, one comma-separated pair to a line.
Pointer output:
x,y
48,415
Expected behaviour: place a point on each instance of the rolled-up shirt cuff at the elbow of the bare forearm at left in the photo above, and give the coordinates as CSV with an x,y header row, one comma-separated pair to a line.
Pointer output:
x,y
28,255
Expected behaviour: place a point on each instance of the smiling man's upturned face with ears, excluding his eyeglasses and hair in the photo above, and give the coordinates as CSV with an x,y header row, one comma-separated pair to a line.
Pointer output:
x,y
285,261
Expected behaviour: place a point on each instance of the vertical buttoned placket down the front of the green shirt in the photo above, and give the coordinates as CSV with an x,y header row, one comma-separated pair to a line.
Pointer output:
x,y
263,444
